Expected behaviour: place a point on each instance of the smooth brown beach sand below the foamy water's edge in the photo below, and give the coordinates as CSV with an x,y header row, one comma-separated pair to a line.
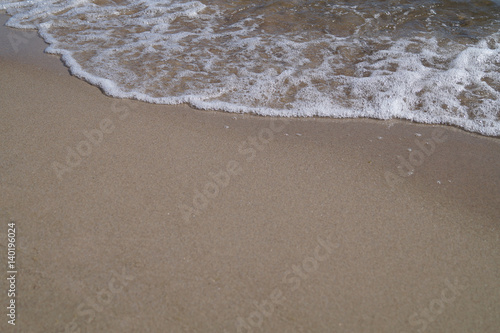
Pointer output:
x,y
301,233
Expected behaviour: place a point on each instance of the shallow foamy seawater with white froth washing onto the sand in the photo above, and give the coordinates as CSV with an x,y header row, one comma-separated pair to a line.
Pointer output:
x,y
428,61
